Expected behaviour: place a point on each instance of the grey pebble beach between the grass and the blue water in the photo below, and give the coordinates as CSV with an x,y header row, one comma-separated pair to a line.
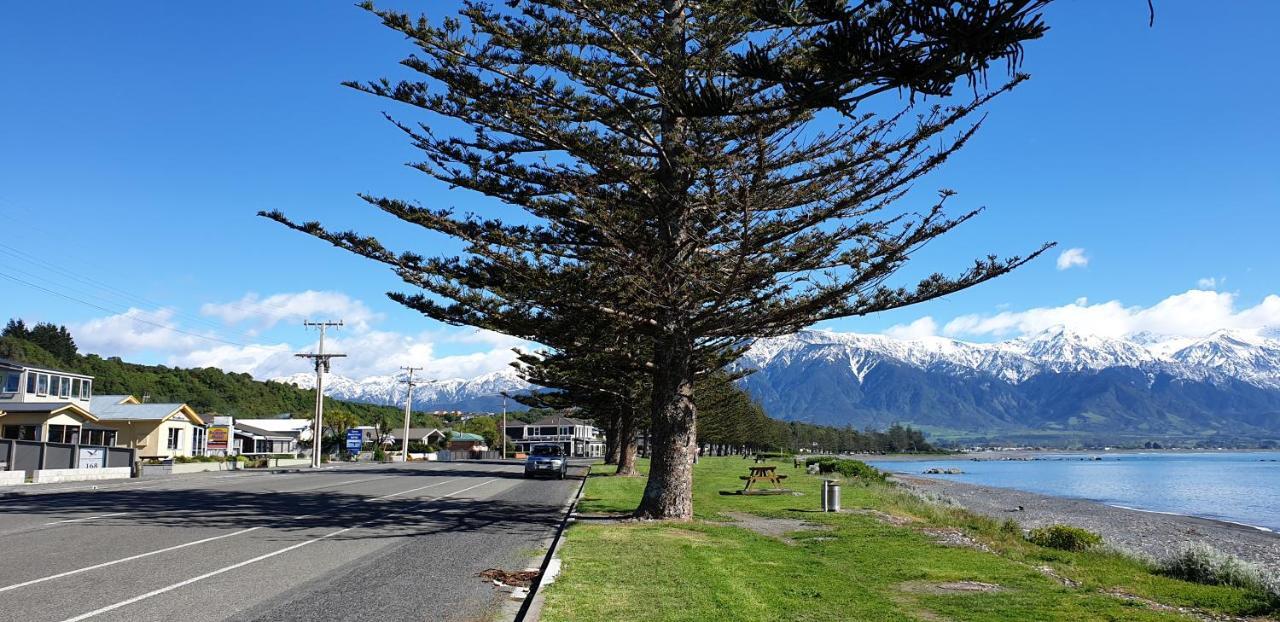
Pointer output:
x,y
1148,533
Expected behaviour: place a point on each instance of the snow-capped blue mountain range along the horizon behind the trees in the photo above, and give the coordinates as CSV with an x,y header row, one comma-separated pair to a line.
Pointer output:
x,y
1057,383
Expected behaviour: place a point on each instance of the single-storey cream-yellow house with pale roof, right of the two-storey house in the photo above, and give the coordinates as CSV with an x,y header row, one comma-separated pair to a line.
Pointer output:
x,y
156,431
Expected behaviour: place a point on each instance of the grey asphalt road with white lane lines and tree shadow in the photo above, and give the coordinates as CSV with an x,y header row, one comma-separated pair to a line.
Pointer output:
x,y
378,542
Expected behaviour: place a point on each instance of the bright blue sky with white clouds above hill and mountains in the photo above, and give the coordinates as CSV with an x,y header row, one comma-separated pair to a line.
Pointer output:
x,y
138,143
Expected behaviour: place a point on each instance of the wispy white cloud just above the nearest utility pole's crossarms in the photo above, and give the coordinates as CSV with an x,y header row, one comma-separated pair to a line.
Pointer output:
x,y
295,307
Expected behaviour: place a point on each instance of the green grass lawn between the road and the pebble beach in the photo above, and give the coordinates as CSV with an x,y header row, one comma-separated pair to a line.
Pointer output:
x,y
879,562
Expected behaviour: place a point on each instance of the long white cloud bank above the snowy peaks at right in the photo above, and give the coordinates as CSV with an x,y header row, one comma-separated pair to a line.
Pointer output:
x,y
1196,313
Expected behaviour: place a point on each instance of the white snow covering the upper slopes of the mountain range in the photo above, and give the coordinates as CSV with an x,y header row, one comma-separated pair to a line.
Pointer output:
x,y
1219,358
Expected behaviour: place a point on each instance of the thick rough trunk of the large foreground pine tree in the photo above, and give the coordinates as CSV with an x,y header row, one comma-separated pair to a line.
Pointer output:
x,y
670,492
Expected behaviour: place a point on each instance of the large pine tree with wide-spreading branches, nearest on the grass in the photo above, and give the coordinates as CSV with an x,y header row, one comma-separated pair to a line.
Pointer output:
x,y
697,173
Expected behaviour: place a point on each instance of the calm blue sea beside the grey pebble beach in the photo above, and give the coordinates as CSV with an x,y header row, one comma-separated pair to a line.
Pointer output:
x,y
1236,487
